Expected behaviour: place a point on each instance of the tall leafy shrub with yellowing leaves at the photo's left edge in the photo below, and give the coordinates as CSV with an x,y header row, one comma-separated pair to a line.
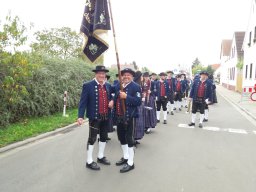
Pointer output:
x,y
14,66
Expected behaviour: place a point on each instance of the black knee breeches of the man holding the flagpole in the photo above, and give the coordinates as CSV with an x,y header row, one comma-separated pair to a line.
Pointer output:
x,y
125,132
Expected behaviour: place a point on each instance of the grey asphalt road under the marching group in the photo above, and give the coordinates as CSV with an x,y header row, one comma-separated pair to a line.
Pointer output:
x,y
219,158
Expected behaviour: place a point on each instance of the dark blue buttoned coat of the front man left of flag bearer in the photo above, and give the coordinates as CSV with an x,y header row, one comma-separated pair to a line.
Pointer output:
x,y
89,100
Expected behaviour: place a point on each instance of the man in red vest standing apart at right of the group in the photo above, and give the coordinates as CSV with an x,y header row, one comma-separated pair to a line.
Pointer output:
x,y
201,94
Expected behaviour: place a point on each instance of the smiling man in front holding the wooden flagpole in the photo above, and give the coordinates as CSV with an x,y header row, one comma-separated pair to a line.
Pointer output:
x,y
124,116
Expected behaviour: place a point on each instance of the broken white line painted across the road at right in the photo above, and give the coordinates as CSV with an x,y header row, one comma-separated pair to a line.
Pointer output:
x,y
217,129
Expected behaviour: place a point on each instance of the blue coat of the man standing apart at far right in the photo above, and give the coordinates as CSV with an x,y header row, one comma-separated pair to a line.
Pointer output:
x,y
208,90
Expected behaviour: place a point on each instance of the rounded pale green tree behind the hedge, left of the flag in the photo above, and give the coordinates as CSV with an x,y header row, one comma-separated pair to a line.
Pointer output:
x,y
59,42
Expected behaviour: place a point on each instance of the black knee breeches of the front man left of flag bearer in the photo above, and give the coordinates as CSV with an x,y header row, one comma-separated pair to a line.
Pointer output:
x,y
98,127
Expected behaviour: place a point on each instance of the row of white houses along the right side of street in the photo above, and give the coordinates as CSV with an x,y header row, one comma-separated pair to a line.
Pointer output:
x,y
238,57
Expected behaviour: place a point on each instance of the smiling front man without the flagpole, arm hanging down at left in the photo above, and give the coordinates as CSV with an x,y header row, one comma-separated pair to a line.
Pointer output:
x,y
96,101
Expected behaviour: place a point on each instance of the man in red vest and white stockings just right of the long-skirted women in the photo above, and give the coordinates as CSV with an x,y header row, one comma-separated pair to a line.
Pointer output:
x,y
162,93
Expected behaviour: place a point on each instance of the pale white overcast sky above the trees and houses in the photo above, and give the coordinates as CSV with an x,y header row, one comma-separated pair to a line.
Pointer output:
x,y
158,34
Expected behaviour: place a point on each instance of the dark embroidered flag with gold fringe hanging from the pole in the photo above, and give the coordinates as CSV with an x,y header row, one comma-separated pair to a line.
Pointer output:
x,y
95,24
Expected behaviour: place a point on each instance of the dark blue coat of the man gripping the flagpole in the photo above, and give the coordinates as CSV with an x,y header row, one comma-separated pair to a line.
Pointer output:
x,y
132,101
